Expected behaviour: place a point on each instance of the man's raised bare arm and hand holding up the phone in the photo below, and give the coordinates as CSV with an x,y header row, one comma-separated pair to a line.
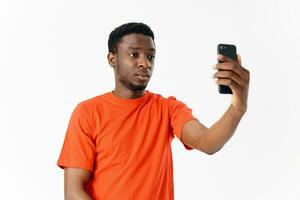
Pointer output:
x,y
210,140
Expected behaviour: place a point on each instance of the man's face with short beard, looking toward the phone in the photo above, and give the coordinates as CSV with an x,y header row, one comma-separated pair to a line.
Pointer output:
x,y
134,61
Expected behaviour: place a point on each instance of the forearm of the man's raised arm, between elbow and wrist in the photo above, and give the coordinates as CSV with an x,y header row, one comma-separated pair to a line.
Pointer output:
x,y
219,133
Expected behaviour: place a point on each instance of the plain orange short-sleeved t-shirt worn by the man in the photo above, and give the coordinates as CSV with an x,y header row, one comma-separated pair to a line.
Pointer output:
x,y
126,144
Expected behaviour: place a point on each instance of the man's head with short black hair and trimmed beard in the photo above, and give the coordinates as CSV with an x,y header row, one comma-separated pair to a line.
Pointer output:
x,y
131,53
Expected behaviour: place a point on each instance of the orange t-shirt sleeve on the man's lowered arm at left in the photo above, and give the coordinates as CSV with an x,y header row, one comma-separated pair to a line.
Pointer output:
x,y
79,149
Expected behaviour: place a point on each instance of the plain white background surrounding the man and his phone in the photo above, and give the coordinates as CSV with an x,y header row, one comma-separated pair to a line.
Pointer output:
x,y
53,55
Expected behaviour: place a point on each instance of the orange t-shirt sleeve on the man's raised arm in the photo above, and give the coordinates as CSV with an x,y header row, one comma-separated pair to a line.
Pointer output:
x,y
179,115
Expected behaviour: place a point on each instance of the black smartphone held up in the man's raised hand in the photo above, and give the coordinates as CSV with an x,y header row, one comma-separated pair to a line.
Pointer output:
x,y
228,50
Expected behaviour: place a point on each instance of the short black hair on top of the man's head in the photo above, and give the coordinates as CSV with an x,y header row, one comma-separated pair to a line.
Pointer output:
x,y
125,29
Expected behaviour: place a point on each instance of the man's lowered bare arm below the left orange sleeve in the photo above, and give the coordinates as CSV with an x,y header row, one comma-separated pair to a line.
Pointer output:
x,y
75,184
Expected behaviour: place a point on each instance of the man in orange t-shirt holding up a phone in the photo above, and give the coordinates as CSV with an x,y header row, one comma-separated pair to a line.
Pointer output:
x,y
118,144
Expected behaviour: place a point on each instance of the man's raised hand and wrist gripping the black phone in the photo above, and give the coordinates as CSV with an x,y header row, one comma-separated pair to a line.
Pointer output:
x,y
231,73
